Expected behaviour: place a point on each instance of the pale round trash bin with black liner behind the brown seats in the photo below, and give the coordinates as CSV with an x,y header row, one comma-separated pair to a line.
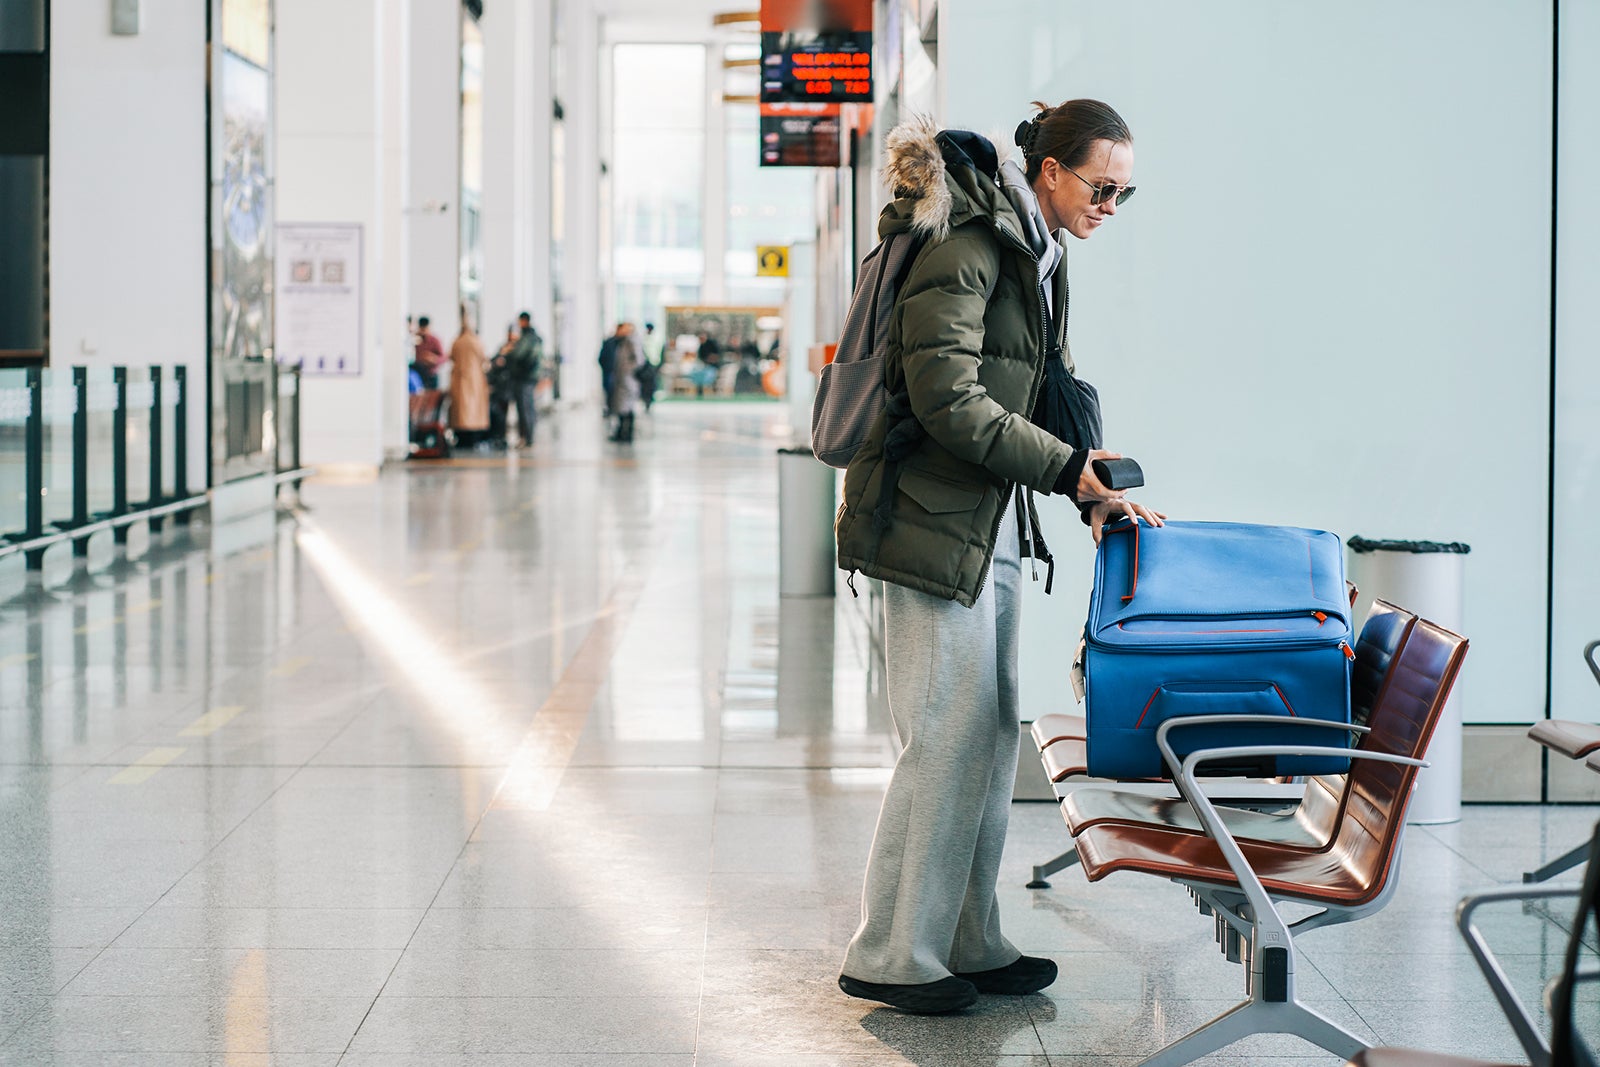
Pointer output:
x,y
1428,578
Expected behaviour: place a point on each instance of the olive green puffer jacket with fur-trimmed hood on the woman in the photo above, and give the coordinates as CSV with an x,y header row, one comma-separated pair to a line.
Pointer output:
x,y
969,345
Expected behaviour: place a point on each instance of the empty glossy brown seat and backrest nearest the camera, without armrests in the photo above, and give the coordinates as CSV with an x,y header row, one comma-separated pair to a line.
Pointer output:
x,y
1356,865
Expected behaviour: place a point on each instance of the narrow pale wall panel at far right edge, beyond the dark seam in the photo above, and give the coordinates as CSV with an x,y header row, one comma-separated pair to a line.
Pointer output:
x,y
1578,369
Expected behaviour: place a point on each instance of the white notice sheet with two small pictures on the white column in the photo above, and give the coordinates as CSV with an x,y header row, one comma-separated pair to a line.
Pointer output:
x,y
319,298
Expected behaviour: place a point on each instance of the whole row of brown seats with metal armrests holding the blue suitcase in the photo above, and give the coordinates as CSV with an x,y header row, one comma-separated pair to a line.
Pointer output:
x,y
1337,852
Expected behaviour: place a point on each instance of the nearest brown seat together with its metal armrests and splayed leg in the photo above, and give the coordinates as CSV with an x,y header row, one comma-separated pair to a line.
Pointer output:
x,y
1241,882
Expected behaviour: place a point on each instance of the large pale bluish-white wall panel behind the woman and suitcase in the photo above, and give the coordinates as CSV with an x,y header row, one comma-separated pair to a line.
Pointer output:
x,y
1324,306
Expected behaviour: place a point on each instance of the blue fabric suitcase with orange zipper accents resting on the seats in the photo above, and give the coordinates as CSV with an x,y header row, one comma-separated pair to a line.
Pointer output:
x,y
1215,618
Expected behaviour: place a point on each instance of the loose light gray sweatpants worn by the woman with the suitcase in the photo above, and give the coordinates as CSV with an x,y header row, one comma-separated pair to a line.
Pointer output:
x,y
929,908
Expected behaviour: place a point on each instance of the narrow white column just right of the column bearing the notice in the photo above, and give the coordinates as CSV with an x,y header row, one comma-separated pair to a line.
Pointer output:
x,y
434,207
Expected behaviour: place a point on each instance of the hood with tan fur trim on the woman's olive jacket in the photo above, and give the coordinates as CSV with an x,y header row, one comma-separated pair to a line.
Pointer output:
x,y
943,177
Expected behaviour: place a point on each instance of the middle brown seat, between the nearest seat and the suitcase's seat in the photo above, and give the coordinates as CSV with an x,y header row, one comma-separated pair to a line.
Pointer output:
x,y
1314,821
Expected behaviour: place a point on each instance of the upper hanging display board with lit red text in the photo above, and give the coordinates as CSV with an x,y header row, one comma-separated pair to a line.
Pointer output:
x,y
817,50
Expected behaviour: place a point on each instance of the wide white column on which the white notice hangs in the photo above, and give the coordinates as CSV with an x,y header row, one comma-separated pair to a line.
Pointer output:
x,y
332,158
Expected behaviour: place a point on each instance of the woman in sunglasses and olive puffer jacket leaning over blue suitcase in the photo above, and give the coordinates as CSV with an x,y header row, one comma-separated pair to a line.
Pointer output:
x,y
934,503
